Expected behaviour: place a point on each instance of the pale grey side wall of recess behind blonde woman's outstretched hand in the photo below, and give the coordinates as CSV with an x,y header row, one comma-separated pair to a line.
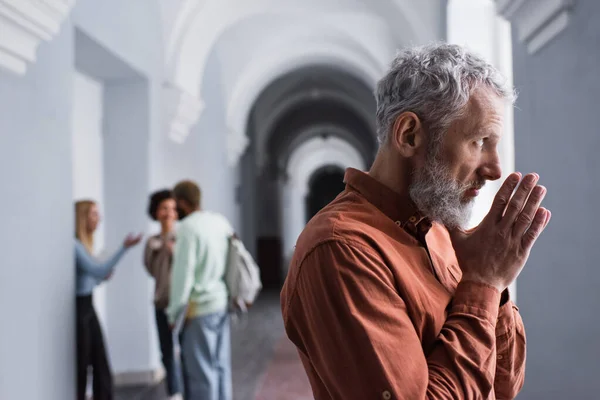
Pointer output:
x,y
131,322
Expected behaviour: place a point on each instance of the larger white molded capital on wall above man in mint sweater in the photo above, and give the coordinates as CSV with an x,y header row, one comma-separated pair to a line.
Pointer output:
x,y
181,112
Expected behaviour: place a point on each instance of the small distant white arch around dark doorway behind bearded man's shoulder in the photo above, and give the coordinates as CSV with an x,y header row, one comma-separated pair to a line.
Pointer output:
x,y
304,161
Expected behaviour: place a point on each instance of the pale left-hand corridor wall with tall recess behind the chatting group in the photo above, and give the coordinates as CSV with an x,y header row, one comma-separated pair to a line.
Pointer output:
x,y
38,133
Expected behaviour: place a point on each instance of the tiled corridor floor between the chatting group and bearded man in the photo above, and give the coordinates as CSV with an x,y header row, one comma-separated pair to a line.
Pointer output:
x,y
254,341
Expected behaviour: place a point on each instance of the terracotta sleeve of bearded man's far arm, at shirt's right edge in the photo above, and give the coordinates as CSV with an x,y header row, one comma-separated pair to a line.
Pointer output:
x,y
511,353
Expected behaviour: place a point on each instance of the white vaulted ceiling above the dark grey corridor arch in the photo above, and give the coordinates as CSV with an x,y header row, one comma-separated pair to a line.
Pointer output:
x,y
260,40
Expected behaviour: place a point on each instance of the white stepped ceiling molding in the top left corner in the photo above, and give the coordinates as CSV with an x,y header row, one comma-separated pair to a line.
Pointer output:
x,y
24,25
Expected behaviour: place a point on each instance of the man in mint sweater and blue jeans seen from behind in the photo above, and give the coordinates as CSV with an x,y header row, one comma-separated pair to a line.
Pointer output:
x,y
198,289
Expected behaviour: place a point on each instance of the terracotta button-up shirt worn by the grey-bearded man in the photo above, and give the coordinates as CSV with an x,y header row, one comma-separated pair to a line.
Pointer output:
x,y
377,313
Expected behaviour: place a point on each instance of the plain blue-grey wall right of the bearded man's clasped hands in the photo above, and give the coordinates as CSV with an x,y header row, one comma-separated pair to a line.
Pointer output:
x,y
556,135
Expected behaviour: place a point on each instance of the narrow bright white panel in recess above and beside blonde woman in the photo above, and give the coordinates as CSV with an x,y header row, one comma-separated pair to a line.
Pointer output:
x,y
88,162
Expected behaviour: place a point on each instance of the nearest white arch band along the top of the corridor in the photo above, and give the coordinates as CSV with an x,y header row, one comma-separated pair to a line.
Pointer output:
x,y
199,23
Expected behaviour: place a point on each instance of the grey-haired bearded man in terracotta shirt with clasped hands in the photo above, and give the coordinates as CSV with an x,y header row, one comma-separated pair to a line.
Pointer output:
x,y
387,296
